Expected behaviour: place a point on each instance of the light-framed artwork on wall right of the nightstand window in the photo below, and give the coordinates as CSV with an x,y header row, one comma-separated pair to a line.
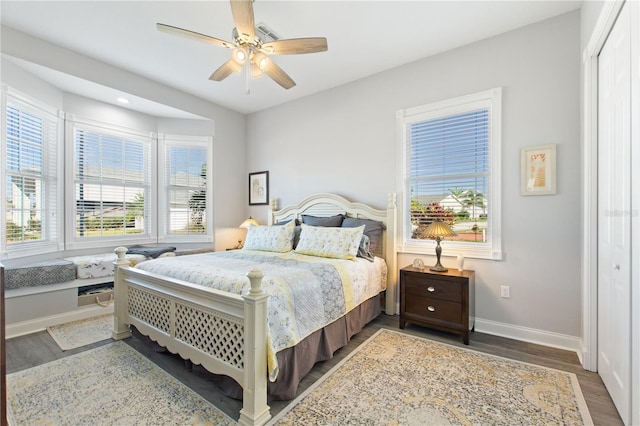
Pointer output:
x,y
538,170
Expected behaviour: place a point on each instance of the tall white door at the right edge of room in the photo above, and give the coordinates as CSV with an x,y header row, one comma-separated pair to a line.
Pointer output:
x,y
614,215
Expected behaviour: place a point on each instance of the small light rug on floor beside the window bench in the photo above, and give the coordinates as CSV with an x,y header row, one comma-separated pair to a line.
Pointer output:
x,y
82,332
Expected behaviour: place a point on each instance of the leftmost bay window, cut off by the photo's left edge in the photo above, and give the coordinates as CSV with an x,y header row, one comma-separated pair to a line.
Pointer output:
x,y
29,176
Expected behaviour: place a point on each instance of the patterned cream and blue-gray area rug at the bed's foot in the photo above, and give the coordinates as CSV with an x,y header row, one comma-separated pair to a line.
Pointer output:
x,y
109,385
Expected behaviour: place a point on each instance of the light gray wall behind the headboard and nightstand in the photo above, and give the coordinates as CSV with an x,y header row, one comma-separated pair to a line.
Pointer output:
x,y
343,140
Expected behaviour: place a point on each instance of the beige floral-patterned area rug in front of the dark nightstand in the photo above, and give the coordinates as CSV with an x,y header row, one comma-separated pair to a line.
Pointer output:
x,y
397,379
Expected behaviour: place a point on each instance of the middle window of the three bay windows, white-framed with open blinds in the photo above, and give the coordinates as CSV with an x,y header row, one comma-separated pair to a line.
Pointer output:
x,y
112,191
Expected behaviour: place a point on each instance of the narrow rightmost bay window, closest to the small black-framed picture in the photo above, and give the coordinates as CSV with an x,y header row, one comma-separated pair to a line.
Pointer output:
x,y
185,205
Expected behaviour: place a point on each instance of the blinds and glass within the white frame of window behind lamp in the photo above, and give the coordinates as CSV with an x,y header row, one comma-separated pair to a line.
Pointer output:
x,y
448,173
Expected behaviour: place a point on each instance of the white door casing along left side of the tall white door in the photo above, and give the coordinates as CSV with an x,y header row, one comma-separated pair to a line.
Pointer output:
x,y
589,345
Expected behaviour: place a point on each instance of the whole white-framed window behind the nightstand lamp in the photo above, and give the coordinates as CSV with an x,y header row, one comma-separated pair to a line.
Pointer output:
x,y
451,172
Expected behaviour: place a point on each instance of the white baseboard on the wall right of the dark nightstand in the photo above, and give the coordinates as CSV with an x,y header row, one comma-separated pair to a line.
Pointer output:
x,y
531,335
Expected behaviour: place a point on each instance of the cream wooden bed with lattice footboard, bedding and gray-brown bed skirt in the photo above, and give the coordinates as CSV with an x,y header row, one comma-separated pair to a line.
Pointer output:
x,y
231,332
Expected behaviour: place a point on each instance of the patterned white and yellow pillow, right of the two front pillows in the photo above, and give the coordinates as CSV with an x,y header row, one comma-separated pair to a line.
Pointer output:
x,y
340,243
